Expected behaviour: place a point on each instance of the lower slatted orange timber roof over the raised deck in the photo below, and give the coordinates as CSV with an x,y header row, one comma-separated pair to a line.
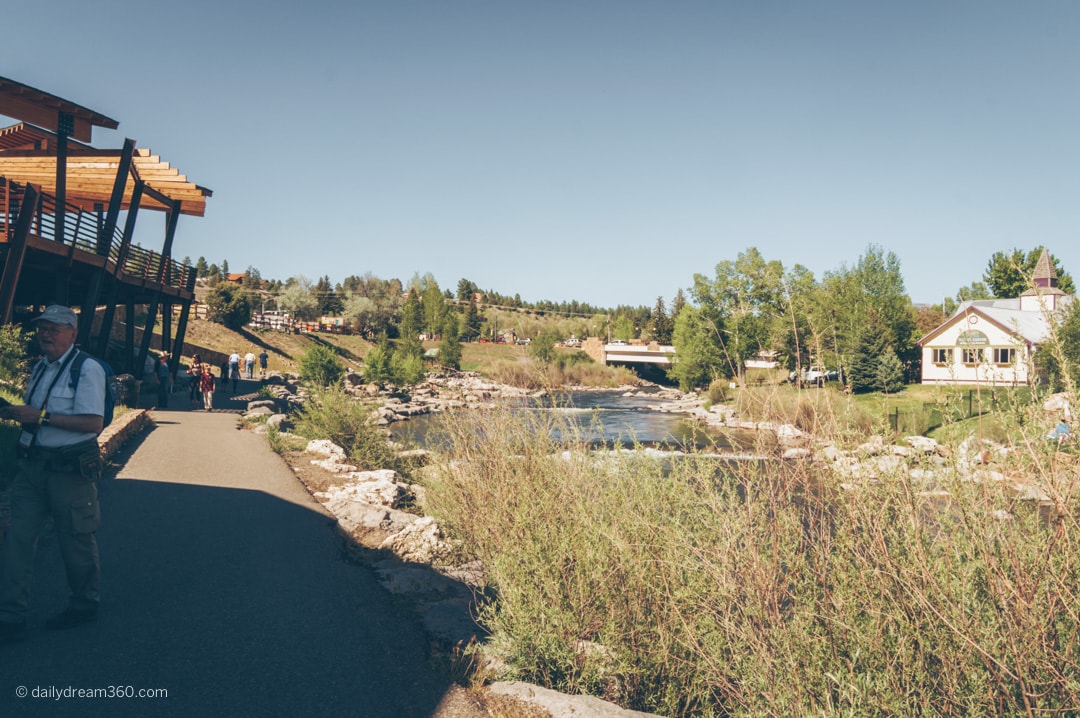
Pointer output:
x,y
29,155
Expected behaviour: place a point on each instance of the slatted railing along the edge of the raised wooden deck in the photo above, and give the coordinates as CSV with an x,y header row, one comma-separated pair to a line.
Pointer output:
x,y
84,231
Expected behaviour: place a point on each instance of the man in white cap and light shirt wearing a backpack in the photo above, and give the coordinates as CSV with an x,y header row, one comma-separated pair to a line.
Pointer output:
x,y
59,466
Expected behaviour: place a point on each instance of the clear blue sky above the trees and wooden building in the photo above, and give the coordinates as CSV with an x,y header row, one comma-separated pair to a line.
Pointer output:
x,y
603,152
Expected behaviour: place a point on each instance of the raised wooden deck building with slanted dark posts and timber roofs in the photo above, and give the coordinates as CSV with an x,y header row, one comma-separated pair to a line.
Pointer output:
x,y
67,216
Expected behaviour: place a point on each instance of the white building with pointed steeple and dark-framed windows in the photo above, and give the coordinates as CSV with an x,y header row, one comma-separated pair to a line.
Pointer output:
x,y
994,342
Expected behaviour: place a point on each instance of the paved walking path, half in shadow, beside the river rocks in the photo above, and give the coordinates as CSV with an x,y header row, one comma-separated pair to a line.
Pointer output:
x,y
224,584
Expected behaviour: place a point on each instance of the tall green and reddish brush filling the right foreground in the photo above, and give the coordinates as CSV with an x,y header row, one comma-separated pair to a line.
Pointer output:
x,y
701,589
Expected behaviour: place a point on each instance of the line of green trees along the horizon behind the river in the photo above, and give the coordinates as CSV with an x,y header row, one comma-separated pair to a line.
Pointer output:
x,y
857,319
